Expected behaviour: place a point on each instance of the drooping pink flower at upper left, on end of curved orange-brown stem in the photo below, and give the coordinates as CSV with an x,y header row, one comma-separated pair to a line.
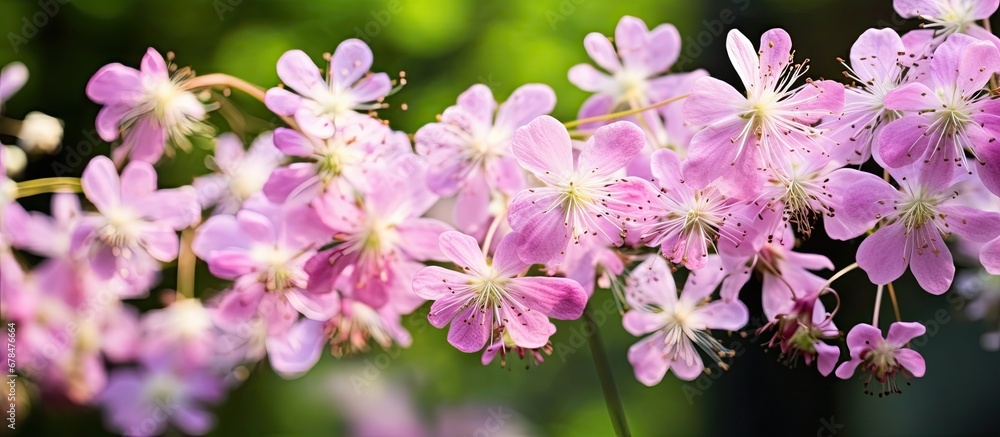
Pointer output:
x,y
149,106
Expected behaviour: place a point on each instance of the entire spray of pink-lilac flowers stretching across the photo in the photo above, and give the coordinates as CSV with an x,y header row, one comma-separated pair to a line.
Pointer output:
x,y
334,227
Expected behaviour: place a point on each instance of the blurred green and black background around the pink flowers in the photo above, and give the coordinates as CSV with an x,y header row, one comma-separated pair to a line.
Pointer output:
x,y
444,46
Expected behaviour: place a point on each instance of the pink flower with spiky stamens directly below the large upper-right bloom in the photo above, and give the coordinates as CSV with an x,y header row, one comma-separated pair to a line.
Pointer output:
x,y
686,222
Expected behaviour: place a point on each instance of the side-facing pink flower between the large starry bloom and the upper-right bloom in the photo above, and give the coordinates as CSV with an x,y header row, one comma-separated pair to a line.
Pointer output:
x,y
876,68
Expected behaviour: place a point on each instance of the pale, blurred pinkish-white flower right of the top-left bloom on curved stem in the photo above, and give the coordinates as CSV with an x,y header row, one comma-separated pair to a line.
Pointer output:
x,y
239,173
